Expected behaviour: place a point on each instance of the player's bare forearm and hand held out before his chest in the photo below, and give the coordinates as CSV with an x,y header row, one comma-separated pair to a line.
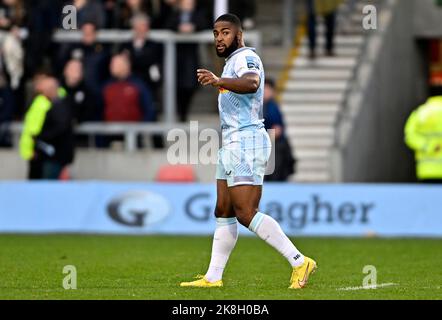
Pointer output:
x,y
248,83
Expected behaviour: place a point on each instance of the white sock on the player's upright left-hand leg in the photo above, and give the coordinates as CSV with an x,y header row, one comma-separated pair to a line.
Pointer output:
x,y
224,240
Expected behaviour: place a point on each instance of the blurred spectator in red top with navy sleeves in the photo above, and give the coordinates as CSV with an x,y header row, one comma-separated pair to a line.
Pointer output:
x,y
126,98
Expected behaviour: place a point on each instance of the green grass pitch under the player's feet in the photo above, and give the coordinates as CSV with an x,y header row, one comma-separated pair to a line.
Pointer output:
x,y
151,267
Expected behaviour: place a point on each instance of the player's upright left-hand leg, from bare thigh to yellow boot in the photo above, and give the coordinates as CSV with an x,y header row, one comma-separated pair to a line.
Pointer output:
x,y
224,240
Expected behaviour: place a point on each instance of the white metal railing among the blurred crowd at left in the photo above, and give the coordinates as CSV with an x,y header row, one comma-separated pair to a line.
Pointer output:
x,y
169,39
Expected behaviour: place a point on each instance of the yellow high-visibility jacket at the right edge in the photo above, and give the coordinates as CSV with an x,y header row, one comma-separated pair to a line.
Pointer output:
x,y
423,134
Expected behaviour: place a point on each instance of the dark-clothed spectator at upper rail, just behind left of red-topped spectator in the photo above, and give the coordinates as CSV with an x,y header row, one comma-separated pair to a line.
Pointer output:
x,y
95,59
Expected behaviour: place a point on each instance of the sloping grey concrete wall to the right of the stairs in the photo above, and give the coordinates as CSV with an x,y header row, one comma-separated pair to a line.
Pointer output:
x,y
392,82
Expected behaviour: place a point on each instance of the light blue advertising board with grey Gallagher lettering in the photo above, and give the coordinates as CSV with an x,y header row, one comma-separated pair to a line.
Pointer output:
x,y
139,209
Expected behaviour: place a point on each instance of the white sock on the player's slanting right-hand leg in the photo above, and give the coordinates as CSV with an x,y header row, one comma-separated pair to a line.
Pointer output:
x,y
270,231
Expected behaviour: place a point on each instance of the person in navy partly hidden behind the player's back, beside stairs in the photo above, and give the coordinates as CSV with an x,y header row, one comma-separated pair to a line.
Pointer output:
x,y
273,120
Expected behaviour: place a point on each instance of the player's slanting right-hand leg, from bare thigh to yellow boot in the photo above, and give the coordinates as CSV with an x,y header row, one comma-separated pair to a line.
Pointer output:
x,y
245,200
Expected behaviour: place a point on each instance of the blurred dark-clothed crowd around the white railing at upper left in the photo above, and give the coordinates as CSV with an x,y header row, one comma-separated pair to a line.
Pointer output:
x,y
104,82
